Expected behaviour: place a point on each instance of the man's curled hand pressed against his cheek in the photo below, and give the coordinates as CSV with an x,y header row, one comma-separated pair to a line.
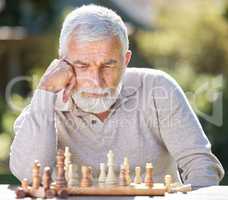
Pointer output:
x,y
58,76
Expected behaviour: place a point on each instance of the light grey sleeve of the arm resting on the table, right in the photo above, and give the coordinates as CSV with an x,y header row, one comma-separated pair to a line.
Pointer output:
x,y
183,135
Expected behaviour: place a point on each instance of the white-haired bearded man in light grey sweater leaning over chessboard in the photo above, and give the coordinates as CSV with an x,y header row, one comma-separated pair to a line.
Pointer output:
x,y
90,101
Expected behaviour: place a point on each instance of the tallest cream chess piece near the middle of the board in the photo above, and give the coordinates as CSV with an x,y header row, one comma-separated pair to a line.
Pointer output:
x,y
111,178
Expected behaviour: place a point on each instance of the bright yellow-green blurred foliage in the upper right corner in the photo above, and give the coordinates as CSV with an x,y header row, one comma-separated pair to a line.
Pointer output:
x,y
193,34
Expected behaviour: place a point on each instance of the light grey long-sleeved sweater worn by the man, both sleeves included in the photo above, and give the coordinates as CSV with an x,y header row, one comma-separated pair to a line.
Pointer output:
x,y
151,121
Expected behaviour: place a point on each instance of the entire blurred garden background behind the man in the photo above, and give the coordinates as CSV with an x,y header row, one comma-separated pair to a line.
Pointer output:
x,y
186,38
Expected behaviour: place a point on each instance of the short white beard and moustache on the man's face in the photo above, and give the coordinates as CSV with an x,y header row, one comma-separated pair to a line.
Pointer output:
x,y
99,104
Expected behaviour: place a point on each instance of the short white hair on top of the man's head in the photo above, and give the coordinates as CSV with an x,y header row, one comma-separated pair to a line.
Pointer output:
x,y
92,23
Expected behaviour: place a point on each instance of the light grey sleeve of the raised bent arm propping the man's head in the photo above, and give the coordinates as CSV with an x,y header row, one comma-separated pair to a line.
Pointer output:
x,y
35,137
